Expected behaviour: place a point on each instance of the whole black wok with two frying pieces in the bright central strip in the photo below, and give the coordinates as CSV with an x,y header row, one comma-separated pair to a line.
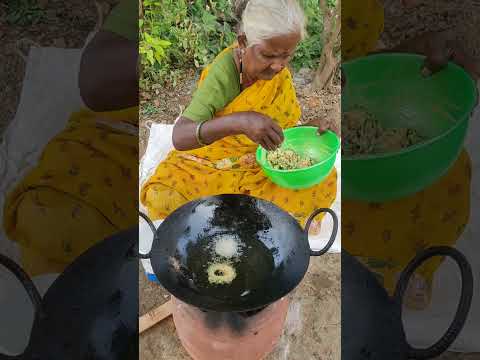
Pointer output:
x,y
273,255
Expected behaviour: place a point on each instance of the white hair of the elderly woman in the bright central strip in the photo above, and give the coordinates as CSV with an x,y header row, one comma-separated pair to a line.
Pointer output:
x,y
265,19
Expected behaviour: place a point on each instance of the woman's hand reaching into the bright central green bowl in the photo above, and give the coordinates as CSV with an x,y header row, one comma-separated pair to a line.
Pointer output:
x,y
261,129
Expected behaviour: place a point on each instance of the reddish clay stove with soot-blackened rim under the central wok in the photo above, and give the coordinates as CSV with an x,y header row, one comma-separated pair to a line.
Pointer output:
x,y
208,335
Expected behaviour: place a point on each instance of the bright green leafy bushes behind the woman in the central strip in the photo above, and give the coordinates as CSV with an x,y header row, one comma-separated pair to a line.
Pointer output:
x,y
183,34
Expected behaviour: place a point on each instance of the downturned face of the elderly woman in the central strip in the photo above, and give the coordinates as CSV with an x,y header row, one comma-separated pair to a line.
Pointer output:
x,y
266,59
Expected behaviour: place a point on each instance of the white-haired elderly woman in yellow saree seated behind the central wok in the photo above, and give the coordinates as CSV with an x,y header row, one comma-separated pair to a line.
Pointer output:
x,y
245,98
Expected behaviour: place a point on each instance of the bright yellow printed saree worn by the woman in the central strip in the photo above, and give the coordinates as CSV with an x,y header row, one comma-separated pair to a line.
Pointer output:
x,y
229,165
